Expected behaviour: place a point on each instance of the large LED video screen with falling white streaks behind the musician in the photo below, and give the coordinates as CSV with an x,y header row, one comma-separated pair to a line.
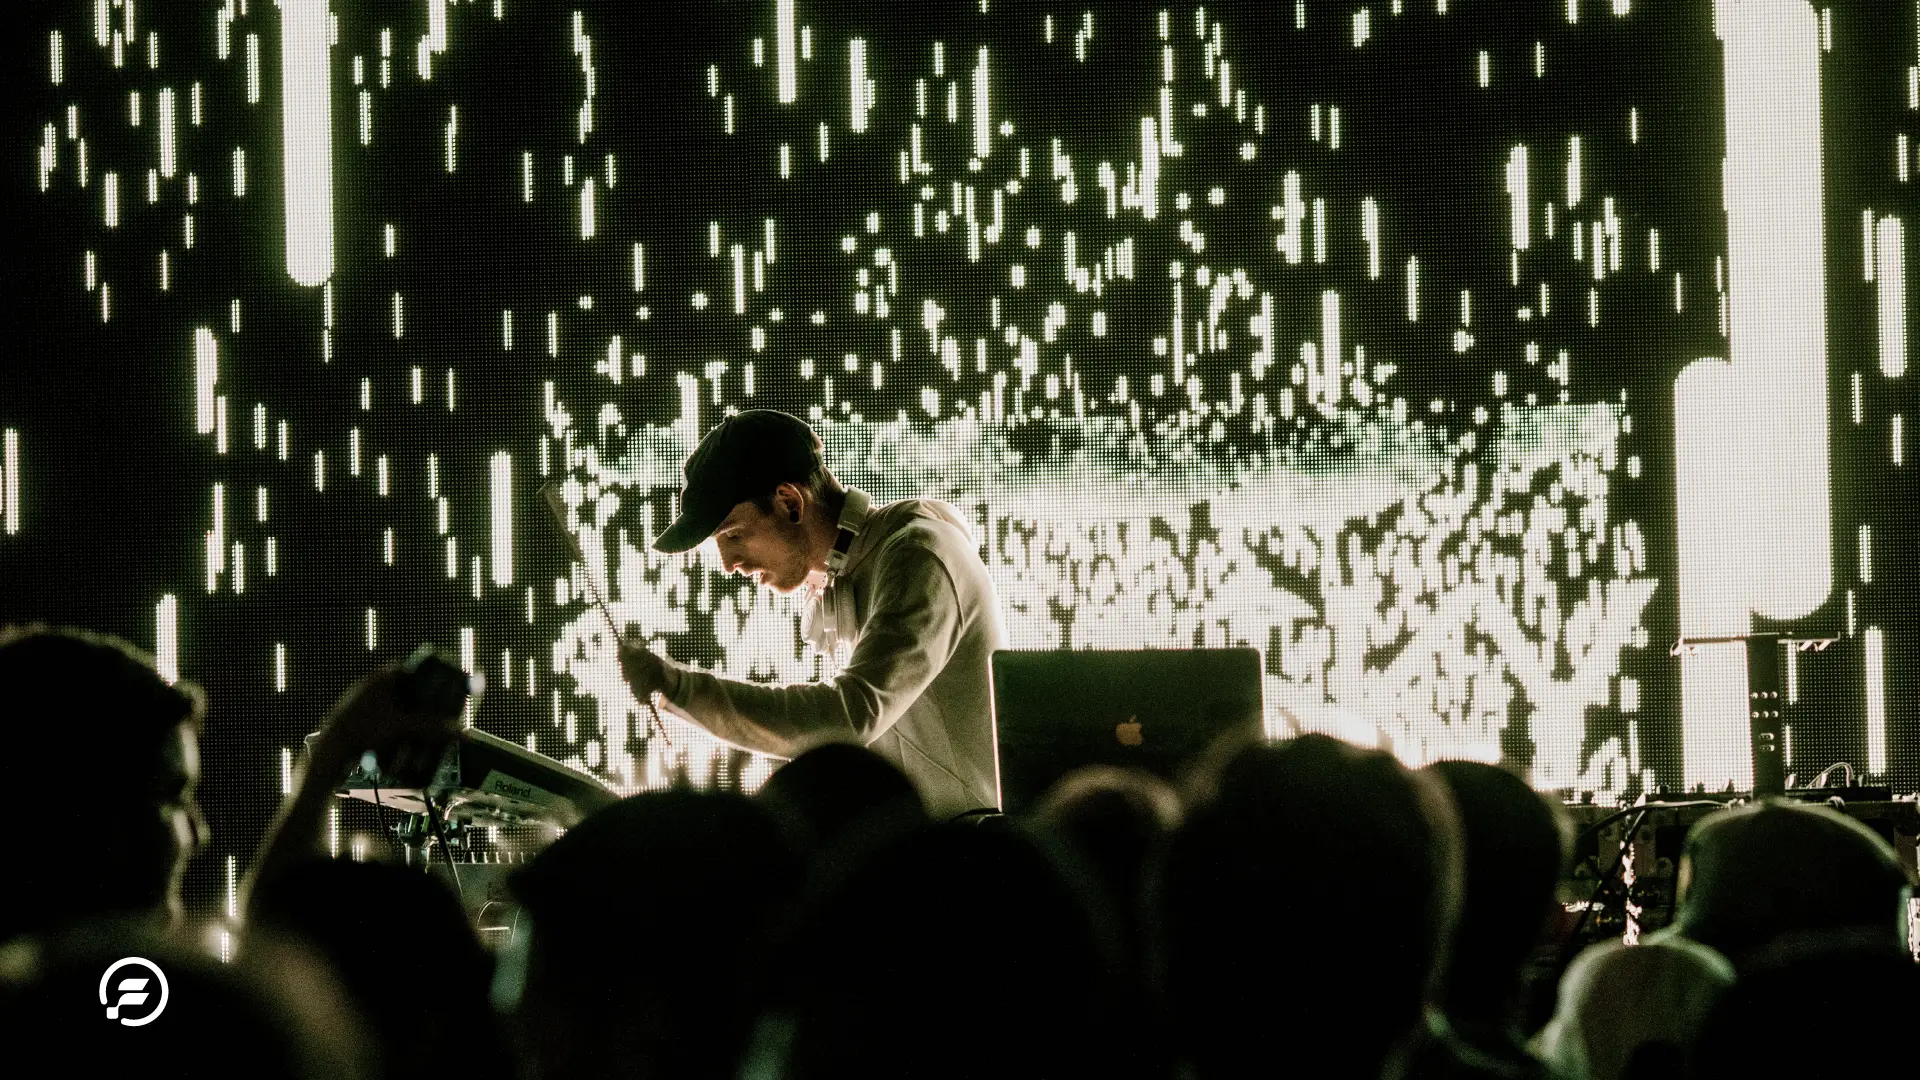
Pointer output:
x,y
1460,356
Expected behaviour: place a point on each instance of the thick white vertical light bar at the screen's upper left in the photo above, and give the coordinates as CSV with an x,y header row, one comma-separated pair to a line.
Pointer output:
x,y
306,137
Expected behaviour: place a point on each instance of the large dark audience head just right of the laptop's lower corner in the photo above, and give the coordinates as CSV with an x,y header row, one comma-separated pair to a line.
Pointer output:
x,y
1307,904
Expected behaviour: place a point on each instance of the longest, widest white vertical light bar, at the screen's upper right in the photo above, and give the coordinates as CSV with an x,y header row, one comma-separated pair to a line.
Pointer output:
x,y
1777,299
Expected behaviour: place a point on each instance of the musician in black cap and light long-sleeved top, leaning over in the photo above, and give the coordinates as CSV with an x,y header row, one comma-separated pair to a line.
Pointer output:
x,y
898,593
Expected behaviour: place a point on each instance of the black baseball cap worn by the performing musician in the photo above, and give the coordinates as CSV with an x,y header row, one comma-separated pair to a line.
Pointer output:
x,y
746,458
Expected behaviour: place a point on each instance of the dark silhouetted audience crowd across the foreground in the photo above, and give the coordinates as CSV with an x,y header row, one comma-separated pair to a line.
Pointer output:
x,y
1297,908
